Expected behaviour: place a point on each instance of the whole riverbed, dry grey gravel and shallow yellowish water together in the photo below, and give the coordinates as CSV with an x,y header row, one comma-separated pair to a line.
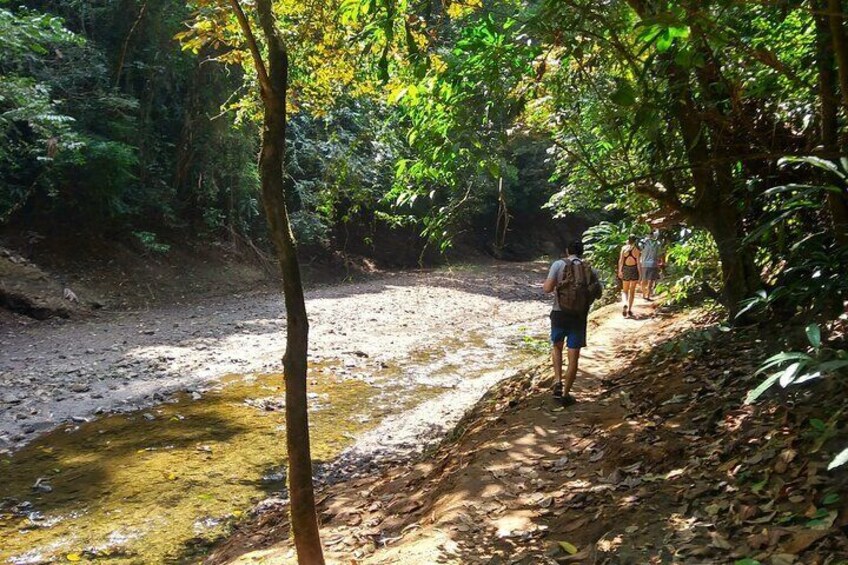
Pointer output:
x,y
395,362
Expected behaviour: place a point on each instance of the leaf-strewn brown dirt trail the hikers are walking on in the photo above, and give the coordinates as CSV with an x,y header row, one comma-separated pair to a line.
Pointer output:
x,y
442,506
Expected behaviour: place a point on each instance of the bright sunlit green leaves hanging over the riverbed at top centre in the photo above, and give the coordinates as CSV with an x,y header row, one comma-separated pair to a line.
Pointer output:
x,y
457,116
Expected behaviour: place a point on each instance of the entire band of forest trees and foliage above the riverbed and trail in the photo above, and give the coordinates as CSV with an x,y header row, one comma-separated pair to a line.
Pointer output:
x,y
722,121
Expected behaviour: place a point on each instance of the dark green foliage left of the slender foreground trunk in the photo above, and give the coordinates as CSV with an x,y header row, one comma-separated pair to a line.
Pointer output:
x,y
104,123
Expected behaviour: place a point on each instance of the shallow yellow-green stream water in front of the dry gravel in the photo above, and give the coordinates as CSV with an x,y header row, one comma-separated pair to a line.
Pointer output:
x,y
157,485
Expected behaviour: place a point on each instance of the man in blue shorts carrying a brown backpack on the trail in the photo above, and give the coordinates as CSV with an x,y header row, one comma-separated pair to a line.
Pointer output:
x,y
575,286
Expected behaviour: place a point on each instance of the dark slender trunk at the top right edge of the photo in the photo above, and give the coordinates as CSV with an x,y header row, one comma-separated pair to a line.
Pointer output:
x,y
829,110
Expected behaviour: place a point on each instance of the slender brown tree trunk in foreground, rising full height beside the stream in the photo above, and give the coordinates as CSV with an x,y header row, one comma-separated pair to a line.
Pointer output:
x,y
274,84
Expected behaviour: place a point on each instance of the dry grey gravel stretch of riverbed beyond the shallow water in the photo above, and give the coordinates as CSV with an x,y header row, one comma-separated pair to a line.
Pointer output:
x,y
59,371
